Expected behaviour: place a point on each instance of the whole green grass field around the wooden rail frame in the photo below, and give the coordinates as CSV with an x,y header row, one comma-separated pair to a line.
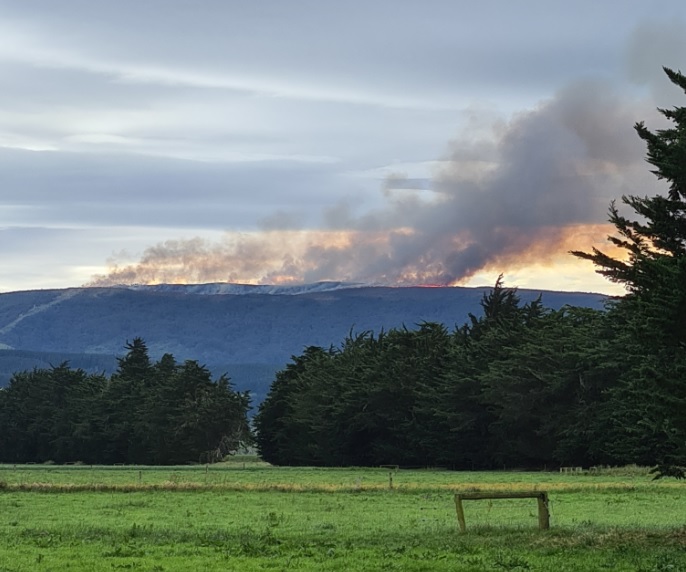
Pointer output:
x,y
248,516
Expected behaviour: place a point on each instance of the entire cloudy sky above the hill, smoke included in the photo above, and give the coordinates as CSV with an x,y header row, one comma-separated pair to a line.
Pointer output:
x,y
386,142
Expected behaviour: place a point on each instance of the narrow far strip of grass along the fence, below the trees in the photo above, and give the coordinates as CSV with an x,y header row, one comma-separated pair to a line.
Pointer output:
x,y
246,472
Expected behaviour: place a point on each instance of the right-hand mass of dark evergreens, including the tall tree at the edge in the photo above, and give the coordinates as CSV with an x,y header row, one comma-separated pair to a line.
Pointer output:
x,y
520,385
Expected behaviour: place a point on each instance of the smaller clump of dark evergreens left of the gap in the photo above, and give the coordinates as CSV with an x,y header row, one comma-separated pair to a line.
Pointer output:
x,y
145,413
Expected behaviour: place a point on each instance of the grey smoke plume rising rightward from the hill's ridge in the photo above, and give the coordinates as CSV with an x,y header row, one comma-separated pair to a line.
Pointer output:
x,y
519,191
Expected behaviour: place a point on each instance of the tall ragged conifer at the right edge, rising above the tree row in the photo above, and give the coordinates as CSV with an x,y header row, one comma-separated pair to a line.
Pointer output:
x,y
651,395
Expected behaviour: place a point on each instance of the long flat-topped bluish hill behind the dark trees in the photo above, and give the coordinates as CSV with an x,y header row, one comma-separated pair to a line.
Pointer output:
x,y
246,331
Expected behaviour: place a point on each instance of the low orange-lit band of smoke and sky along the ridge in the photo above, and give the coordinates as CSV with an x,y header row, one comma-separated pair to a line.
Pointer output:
x,y
292,257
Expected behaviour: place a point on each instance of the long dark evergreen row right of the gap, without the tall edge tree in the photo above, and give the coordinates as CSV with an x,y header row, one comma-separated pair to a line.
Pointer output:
x,y
519,386
